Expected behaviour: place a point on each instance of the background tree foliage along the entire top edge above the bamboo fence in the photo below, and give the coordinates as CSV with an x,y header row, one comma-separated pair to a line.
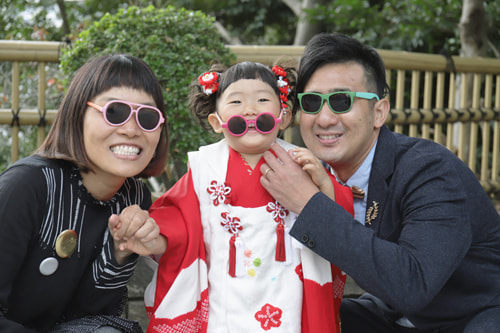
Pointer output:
x,y
411,25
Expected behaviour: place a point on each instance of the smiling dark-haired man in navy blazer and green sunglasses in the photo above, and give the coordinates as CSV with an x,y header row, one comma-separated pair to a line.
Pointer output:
x,y
425,241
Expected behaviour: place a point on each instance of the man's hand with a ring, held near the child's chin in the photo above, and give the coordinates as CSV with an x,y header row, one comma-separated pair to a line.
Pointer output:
x,y
285,180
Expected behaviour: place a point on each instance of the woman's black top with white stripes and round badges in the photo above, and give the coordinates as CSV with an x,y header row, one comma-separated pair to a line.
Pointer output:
x,y
39,199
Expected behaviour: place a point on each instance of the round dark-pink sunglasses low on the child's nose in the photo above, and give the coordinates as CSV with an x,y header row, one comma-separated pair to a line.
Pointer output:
x,y
238,125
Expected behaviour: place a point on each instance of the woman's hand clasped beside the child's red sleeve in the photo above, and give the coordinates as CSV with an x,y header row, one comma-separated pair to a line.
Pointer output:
x,y
134,231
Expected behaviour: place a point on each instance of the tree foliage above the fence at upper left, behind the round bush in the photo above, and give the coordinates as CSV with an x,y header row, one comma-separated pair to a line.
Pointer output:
x,y
252,21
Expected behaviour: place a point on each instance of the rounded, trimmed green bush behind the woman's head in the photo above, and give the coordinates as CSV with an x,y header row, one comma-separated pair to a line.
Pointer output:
x,y
178,44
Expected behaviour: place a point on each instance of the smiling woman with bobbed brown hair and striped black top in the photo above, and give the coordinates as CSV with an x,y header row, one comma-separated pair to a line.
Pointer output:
x,y
74,215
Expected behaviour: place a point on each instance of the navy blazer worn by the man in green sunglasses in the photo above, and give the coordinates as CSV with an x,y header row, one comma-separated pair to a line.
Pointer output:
x,y
431,246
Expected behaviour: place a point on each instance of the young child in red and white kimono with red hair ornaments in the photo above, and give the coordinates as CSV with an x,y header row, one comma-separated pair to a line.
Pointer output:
x,y
230,265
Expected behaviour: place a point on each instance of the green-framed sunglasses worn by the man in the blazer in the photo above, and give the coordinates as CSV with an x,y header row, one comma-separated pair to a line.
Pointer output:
x,y
339,101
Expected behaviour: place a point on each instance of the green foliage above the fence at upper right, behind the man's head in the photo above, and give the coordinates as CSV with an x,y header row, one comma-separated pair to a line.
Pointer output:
x,y
426,26
